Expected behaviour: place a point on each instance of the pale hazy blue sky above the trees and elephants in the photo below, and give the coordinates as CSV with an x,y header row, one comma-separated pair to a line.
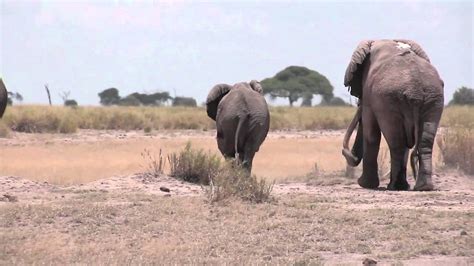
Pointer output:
x,y
186,47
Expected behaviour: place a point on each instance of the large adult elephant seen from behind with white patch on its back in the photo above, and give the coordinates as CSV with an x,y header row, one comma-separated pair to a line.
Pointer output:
x,y
401,95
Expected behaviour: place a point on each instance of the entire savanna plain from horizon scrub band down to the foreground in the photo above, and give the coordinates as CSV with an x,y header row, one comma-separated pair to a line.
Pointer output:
x,y
92,185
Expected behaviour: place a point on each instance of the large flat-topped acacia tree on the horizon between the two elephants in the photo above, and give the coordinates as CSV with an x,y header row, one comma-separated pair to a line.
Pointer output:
x,y
296,82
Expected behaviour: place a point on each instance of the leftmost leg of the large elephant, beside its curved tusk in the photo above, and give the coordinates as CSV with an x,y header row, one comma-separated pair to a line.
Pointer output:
x,y
371,130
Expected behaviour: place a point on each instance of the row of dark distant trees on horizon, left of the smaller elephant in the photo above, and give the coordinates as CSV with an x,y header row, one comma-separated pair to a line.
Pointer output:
x,y
111,96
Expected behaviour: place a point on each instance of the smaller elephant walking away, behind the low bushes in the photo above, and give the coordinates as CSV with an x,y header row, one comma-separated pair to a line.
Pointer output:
x,y
242,119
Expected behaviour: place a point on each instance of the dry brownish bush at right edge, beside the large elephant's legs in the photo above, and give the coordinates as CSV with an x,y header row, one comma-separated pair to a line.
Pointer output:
x,y
457,149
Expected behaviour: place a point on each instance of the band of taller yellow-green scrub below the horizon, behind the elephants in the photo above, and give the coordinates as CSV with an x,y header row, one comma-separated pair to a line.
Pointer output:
x,y
56,119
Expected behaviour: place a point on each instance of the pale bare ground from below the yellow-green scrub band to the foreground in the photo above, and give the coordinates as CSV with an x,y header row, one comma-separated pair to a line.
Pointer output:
x,y
321,218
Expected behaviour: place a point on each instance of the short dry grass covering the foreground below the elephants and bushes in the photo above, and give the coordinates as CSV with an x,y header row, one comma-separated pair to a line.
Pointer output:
x,y
112,228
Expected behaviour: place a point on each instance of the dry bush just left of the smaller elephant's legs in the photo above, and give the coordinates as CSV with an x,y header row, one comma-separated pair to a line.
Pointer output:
x,y
194,165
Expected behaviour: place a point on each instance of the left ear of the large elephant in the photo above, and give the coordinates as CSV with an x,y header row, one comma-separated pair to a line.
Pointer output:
x,y
353,76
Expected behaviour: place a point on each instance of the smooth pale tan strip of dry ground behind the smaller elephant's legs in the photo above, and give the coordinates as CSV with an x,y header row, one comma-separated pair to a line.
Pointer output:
x,y
74,160
